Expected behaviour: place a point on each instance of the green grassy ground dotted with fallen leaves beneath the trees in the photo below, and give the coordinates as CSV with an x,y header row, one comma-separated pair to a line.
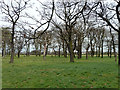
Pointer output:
x,y
55,72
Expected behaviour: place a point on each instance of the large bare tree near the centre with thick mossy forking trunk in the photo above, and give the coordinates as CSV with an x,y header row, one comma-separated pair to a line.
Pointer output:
x,y
68,13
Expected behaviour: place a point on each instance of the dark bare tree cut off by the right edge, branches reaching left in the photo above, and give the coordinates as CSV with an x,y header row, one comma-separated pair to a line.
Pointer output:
x,y
105,14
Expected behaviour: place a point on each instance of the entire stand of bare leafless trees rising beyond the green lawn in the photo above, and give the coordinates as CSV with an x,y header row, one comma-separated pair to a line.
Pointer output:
x,y
74,26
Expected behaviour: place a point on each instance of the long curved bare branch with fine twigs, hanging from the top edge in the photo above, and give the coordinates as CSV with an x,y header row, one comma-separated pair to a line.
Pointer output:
x,y
44,19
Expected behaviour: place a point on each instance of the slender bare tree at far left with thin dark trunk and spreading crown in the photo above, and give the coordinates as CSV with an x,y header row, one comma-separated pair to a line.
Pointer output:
x,y
12,12
